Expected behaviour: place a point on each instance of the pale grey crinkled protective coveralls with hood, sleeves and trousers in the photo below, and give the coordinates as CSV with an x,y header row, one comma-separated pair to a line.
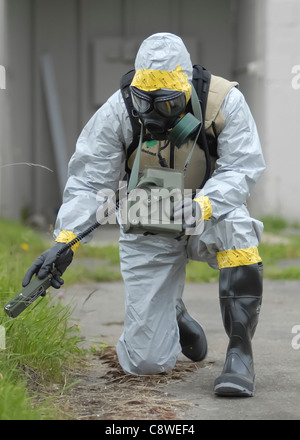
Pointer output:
x,y
153,267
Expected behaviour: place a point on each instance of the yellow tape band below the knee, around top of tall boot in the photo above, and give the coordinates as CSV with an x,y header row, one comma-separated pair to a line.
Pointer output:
x,y
238,257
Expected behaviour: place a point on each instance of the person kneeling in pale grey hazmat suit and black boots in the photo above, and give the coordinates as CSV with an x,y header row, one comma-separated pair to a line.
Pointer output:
x,y
157,325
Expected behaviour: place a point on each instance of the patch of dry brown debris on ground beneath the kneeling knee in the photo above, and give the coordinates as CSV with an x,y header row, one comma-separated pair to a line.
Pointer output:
x,y
105,392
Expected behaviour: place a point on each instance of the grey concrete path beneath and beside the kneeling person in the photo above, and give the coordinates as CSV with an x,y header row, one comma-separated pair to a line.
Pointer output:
x,y
100,313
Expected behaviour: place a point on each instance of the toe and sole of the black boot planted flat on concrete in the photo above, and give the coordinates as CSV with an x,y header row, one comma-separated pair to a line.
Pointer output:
x,y
232,385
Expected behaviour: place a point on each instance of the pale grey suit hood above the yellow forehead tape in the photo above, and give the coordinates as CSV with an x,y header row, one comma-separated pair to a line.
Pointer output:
x,y
164,51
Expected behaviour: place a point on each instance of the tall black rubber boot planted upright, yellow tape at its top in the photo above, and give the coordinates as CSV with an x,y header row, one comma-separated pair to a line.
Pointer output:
x,y
240,301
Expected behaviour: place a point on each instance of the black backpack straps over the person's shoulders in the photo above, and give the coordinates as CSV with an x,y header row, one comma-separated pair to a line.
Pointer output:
x,y
201,82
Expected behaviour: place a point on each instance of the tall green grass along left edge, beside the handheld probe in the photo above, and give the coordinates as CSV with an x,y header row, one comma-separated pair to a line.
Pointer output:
x,y
39,343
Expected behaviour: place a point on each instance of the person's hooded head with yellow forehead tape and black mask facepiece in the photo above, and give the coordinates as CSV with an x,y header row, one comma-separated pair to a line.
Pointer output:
x,y
162,64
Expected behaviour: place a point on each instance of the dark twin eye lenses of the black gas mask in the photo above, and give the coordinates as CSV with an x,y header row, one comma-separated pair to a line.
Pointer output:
x,y
167,103
